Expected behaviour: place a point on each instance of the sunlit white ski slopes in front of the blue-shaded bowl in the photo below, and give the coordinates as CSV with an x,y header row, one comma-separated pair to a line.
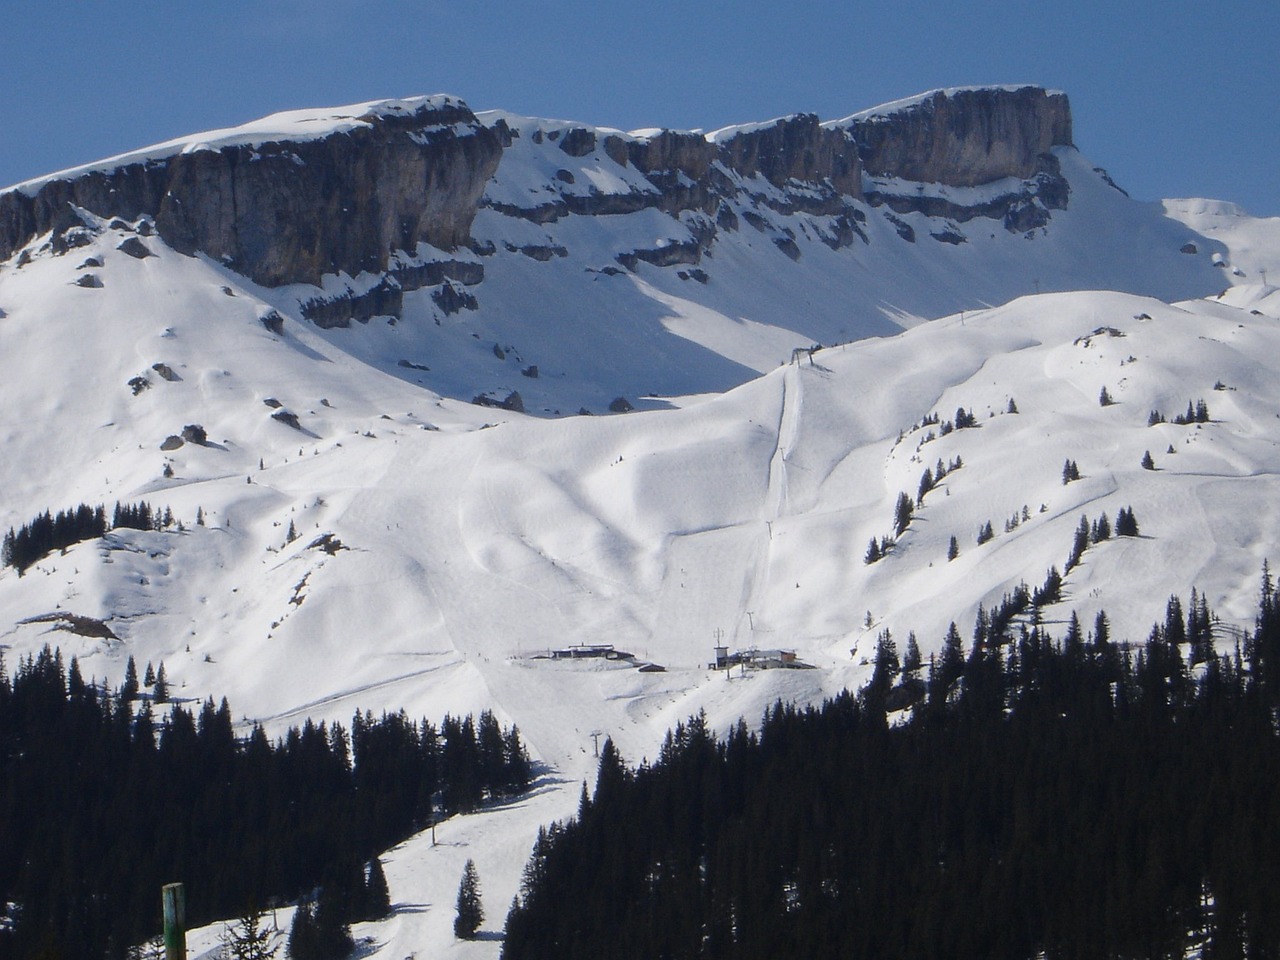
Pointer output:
x,y
470,550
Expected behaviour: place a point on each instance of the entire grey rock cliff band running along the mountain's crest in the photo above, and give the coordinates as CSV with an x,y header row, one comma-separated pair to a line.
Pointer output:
x,y
362,198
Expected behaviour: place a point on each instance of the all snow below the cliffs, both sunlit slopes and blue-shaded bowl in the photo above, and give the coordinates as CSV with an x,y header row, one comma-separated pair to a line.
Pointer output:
x,y
442,547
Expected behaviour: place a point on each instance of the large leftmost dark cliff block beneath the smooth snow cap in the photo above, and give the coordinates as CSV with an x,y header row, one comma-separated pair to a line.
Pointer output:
x,y
290,212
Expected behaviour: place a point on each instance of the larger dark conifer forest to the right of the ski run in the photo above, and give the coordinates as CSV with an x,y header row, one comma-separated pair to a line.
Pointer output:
x,y
1027,797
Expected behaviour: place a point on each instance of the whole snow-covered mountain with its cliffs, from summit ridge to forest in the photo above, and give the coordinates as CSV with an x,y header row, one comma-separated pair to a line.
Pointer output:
x,y
444,545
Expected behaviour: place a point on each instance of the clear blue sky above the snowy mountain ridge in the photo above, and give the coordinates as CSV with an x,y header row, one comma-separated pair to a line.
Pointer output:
x,y
1173,98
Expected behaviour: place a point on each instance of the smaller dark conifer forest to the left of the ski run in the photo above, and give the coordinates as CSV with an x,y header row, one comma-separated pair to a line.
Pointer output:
x,y
104,801
